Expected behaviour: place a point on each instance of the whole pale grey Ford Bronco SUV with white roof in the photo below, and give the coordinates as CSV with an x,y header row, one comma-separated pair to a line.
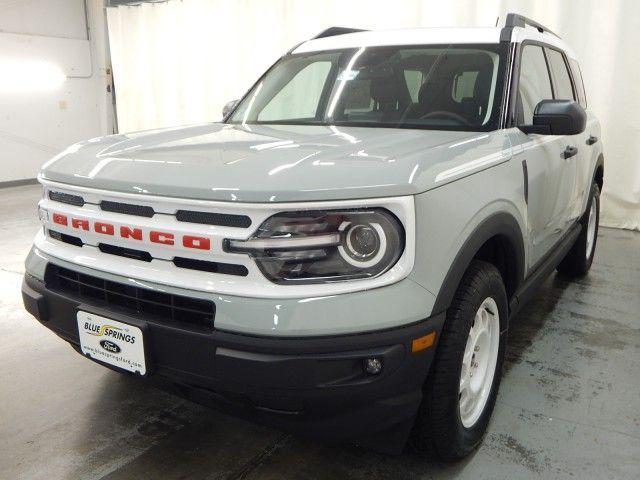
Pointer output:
x,y
341,255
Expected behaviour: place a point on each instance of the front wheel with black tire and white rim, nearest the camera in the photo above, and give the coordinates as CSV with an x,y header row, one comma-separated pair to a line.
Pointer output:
x,y
440,429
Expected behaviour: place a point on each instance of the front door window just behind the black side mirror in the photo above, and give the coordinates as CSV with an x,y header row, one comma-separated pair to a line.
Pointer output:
x,y
534,85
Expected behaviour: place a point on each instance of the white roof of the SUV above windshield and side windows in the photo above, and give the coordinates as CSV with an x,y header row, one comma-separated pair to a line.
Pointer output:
x,y
427,36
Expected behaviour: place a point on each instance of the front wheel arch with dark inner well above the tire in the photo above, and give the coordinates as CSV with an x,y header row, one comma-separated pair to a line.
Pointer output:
x,y
500,230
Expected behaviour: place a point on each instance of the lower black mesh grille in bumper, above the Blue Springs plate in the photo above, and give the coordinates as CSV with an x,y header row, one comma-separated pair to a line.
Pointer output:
x,y
134,301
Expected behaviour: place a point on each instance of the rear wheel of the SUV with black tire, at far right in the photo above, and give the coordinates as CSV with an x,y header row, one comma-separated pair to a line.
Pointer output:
x,y
578,260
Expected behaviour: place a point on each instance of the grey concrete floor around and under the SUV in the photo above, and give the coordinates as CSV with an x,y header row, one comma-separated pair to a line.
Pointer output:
x,y
568,406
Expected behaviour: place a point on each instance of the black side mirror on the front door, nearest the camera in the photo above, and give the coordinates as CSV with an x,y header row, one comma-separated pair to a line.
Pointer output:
x,y
557,117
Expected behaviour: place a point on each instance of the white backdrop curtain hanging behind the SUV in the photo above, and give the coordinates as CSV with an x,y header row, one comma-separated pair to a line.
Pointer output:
x,y
180,61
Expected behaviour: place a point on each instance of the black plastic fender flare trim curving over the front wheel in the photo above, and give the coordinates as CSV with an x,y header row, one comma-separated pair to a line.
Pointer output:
x,y
502,224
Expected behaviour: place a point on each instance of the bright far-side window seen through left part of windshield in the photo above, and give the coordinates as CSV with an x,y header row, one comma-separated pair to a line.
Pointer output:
x,y
299,98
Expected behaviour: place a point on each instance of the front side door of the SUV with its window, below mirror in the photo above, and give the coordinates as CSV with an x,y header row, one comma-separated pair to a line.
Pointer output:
x,y
549,177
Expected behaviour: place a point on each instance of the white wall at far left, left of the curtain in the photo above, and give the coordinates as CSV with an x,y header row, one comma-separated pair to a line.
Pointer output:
x,y
36,123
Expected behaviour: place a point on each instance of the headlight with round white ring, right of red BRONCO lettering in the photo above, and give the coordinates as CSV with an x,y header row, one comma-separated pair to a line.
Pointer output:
x,y
324,246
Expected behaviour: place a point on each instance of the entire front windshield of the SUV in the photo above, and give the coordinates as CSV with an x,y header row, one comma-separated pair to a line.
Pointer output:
x,y
451,87
